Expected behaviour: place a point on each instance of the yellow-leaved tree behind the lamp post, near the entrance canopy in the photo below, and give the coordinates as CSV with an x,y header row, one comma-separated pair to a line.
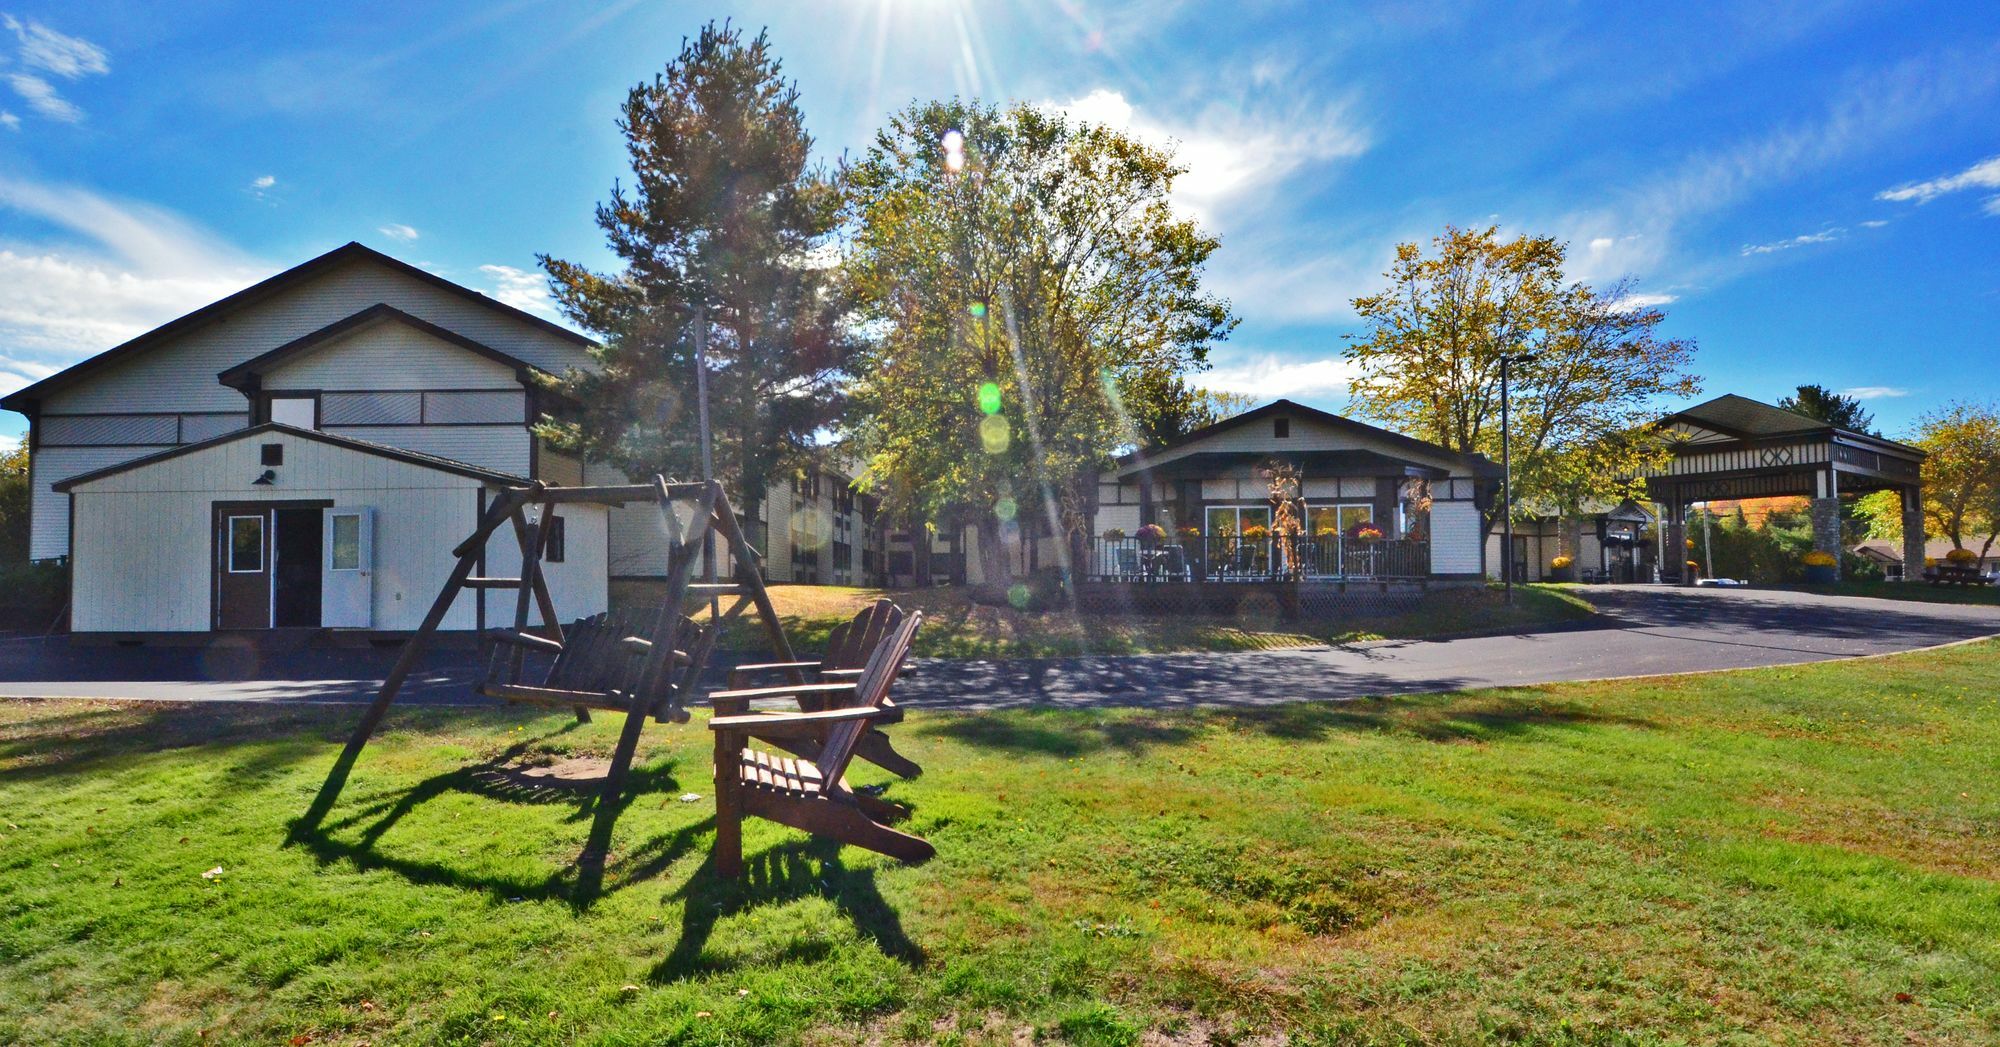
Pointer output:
x,y
1589,379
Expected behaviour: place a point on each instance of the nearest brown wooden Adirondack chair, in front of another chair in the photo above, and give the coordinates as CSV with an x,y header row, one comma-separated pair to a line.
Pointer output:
x,y
811,794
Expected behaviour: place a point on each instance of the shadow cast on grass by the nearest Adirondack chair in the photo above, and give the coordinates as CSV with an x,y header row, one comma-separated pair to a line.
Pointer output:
x,y
789,872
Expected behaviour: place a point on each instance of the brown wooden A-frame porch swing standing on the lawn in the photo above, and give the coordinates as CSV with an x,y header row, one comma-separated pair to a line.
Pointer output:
x,y
641,662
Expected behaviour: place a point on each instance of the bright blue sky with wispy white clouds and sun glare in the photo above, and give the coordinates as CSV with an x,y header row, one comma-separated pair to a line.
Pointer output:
x,y
1811,189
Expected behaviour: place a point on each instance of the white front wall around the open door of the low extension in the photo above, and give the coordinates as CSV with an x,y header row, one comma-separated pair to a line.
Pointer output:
x,y
143,544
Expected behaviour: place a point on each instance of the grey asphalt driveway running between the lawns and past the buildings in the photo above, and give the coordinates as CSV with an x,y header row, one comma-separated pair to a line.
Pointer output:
x,y
1643,630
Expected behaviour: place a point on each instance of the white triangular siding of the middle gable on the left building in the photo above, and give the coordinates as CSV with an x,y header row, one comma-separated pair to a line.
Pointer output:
x,y
393,357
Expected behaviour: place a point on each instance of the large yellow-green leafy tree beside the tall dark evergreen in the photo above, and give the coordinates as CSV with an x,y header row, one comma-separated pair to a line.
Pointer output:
x,y
1017,273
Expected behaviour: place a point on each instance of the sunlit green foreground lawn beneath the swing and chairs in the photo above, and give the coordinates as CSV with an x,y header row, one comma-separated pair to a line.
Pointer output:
x,y
1781,856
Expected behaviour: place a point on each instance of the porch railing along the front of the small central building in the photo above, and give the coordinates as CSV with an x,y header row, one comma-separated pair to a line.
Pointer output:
x,y
1221,560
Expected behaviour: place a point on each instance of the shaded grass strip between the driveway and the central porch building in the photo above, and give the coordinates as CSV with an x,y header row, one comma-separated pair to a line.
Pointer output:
x,y
955,626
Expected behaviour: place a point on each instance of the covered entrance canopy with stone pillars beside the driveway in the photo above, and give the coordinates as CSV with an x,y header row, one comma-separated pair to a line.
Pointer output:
x,y
1741,449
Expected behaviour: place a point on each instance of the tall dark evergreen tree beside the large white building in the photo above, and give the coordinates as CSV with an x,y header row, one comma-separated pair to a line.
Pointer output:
x,y
727,213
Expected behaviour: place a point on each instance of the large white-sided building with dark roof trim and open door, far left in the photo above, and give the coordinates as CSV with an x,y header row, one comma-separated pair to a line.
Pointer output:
x,y
303,453
